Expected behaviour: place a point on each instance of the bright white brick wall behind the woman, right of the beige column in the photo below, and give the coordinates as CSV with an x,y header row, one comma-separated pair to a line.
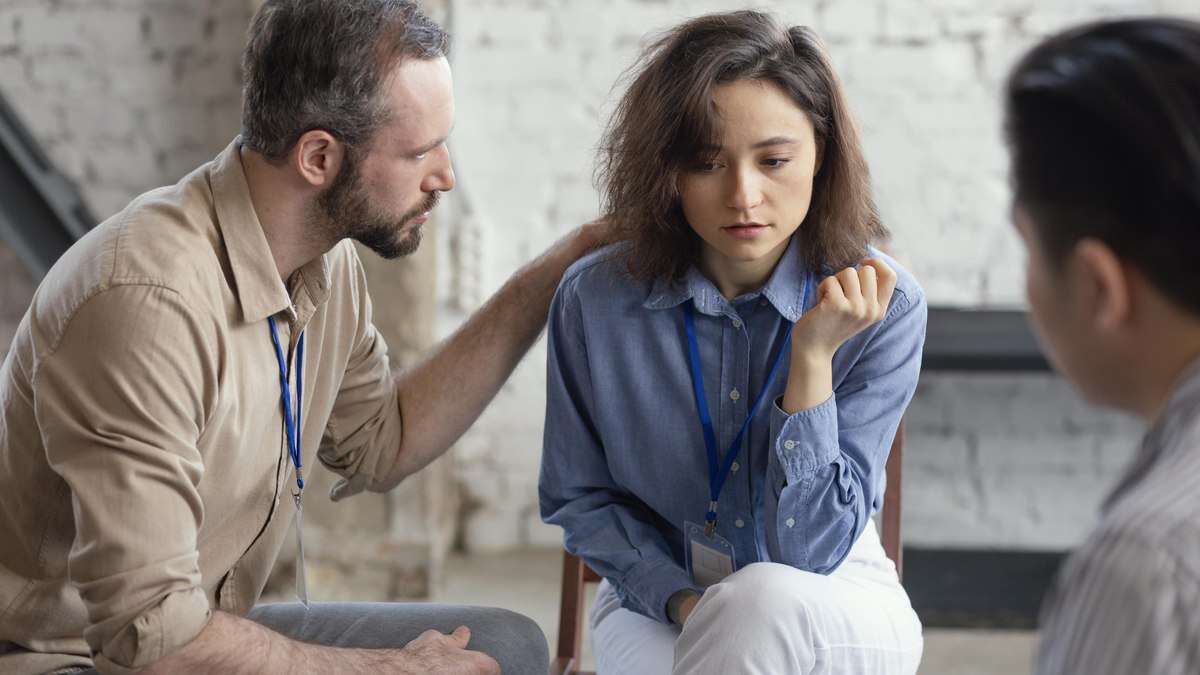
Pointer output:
x,y
1007,462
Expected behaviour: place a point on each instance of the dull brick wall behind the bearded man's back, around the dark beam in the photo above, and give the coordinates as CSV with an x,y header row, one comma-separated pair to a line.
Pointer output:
x,y
124,95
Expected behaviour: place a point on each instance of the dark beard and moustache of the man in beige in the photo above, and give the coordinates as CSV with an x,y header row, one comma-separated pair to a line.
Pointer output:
x,y
347,213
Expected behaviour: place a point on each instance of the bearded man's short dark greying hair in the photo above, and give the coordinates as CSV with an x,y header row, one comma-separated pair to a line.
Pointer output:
x,y
320,64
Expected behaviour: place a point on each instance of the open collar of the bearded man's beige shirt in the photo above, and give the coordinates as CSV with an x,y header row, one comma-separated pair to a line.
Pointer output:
x,y
260,290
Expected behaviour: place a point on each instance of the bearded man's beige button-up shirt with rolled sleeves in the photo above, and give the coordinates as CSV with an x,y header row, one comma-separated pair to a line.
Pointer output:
x,y
145,480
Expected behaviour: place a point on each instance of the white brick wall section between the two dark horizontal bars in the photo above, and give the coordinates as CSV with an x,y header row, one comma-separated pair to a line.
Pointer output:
x,y
1009,461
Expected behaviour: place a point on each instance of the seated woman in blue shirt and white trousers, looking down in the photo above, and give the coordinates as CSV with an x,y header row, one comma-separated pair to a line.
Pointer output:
x,y
725,383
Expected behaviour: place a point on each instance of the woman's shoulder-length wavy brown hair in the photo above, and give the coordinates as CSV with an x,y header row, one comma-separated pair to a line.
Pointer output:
x,y
668,118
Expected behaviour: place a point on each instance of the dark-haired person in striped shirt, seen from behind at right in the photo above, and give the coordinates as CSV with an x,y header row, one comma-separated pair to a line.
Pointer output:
x,y
1103,124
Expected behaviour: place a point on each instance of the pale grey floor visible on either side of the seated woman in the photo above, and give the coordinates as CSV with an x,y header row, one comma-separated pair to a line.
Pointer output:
x,y
529,582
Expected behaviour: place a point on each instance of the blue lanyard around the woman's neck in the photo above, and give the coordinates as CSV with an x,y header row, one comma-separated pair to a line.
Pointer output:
x,y
718,470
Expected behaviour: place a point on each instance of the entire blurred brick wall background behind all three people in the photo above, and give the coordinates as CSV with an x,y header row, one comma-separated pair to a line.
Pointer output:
x,y
127,95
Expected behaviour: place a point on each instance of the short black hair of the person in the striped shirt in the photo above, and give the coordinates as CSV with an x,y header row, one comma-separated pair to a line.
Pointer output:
x,y
1103,124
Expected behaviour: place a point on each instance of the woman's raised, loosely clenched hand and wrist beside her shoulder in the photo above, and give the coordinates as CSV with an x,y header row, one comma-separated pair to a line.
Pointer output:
x,y
848,303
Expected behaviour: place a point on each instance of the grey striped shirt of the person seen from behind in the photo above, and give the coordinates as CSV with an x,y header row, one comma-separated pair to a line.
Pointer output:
x,y
1129,601
